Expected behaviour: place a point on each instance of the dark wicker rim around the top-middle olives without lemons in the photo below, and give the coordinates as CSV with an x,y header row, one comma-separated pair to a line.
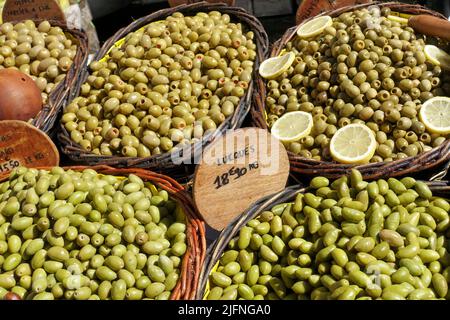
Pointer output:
x,y
164,161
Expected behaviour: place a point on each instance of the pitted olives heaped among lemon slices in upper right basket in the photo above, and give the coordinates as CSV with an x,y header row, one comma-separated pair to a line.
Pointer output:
x,y
367,69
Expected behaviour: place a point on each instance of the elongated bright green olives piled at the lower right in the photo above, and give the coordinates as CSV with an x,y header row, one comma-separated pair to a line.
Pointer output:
x,y
348,239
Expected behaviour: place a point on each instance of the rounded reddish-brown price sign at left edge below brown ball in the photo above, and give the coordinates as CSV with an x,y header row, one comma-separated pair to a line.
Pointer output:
x,y
22,144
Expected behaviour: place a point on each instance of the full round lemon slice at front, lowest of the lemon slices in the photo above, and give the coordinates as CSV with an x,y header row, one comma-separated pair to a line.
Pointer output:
x,y
354,143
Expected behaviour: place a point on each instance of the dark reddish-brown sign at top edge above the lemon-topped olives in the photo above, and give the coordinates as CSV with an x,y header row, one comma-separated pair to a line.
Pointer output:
x,y
311,8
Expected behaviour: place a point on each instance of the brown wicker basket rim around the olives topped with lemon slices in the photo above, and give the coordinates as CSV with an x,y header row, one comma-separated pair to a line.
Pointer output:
x,y
303,166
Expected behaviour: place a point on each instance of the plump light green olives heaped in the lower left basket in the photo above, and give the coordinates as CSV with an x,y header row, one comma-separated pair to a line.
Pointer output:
x,y
81,235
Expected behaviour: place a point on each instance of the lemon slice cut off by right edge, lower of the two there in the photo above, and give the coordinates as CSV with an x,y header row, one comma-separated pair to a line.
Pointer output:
x,y
435,115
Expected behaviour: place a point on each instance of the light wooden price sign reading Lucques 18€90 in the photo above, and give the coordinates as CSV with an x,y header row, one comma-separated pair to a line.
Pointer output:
x,y
236,170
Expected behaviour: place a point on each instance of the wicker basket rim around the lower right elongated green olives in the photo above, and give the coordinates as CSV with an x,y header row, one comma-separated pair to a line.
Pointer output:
x,y
215,251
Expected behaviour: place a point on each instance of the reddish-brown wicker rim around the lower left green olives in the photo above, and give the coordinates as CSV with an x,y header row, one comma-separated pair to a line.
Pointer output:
x,y
194,257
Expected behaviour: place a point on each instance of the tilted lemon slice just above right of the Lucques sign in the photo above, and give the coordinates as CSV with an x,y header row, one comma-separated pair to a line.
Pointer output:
x,y
292,126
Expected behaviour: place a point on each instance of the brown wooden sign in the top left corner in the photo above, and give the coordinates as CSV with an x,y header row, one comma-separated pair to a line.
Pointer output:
x,y
17,10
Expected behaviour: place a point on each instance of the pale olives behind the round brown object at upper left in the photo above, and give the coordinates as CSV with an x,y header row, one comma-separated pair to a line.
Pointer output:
x,y
43,52
